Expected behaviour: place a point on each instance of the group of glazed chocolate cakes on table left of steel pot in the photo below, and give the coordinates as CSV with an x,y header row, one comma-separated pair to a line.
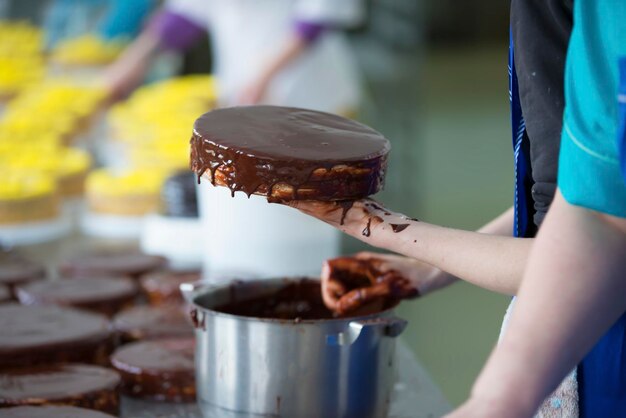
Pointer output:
x,y
66,351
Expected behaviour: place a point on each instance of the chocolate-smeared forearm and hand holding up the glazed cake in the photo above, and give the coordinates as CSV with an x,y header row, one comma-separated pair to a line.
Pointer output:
x,y
487,258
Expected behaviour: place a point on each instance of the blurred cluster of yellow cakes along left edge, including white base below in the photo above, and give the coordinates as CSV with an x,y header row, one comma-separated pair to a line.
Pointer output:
x,y
40,170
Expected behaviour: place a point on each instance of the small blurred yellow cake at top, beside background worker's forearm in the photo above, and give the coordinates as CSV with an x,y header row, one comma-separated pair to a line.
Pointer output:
x,y
87,50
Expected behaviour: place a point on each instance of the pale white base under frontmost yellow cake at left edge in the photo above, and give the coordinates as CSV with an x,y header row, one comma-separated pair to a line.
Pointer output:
x,y
31,233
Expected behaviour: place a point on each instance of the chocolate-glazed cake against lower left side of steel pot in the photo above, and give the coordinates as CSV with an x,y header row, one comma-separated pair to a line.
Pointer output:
x,y
161,370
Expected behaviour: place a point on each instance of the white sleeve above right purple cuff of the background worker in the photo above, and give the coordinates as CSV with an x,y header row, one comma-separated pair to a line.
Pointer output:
x,y
345,13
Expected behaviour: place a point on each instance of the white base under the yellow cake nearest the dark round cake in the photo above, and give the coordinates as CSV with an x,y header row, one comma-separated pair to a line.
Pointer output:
x,y
112,226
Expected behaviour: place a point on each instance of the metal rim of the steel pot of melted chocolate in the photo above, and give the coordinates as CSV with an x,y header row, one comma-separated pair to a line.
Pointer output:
x,y
201,288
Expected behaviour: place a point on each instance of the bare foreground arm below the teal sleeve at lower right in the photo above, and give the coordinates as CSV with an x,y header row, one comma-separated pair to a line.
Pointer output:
x,y
572,291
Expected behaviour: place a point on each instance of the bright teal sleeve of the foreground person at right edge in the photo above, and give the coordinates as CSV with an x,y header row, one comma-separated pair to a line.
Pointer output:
x,y
589,169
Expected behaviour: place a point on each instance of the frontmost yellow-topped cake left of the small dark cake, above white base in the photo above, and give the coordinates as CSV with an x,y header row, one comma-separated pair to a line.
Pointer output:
x,y
132,193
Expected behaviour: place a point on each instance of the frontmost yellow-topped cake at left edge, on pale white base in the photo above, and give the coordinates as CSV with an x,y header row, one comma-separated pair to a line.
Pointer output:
x,y
27,196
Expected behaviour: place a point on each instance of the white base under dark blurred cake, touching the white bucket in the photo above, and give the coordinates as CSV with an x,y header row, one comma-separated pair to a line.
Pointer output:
x,y
177,239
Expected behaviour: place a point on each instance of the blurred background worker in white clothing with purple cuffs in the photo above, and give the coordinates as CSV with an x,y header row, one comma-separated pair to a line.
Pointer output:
x,y
283,52
